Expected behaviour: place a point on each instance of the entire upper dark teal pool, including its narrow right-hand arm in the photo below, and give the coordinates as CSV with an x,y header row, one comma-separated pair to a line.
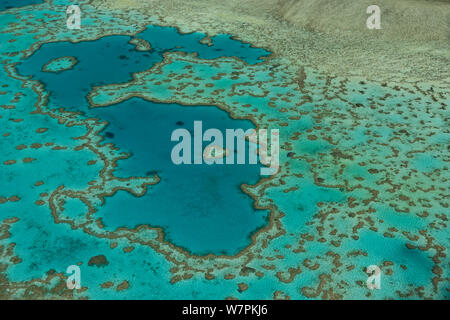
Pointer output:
x,y
113,60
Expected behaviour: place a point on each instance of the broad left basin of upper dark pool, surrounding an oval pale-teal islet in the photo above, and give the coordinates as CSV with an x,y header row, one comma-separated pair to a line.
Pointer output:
x,y
95,61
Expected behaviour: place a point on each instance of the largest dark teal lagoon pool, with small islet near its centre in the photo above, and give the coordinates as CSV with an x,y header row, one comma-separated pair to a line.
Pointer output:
x,y
200,207
